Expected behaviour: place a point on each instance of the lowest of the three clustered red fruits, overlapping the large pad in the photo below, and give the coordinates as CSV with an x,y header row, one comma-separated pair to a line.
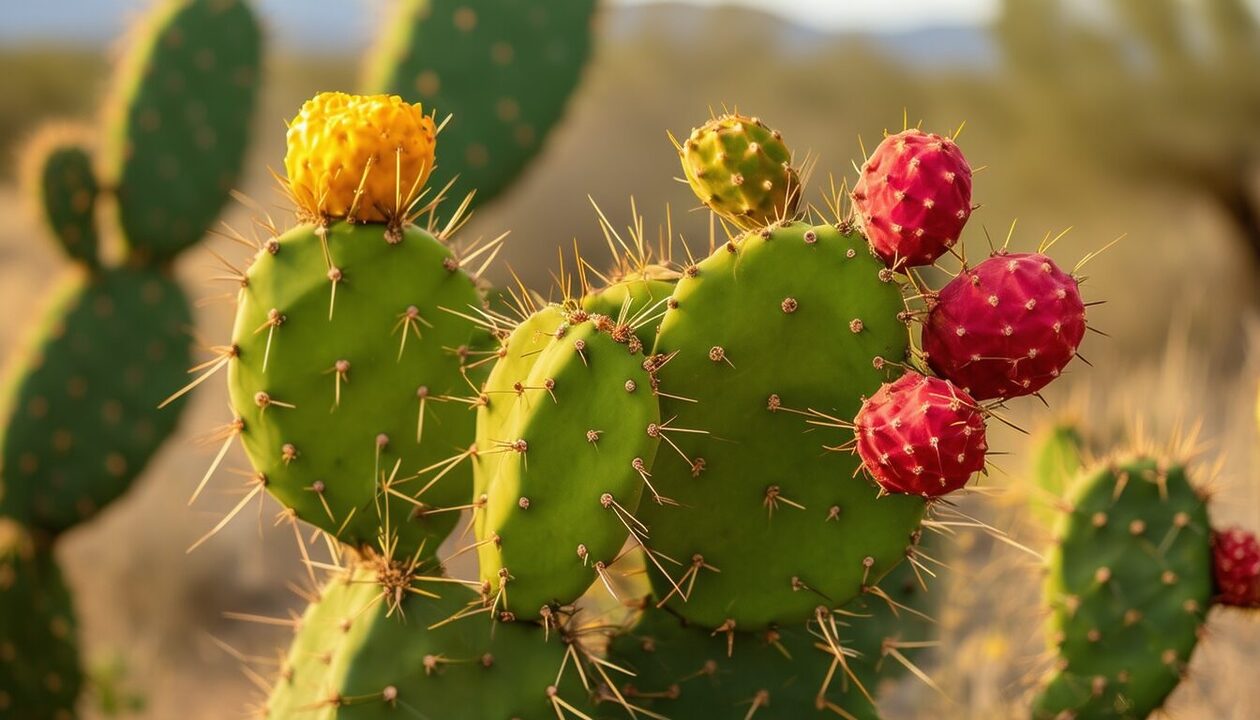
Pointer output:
x,y
920,436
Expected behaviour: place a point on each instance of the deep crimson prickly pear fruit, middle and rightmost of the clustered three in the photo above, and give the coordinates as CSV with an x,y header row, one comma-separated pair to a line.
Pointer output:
x,y
1006,327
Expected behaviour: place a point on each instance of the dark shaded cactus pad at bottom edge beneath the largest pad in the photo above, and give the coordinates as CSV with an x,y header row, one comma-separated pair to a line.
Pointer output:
x,y
684,671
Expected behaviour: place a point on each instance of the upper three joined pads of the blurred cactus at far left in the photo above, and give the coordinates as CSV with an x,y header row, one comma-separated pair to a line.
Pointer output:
x,y
81,399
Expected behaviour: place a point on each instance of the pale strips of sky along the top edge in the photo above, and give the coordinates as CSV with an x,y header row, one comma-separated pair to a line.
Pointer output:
x,y
293,21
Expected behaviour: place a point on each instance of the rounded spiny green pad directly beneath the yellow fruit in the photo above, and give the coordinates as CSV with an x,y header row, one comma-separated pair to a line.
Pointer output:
x,y
357,356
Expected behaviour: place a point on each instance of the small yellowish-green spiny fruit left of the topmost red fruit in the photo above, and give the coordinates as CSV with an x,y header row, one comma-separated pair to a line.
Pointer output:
x,y
743,171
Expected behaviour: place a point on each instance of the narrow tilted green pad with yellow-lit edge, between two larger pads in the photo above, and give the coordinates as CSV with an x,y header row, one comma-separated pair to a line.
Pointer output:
x,y
576,447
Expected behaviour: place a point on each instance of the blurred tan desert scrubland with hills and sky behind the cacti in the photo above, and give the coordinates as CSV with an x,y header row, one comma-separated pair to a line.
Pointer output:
x,y
1120,118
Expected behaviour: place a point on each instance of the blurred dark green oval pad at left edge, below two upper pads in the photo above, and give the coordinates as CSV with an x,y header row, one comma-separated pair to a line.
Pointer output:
x,y
81,400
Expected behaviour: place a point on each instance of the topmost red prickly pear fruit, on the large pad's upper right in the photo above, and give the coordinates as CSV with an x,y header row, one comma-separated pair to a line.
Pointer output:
x,y
914,197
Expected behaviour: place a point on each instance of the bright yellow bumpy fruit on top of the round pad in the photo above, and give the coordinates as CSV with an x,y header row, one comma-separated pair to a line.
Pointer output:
x,y
367,154
